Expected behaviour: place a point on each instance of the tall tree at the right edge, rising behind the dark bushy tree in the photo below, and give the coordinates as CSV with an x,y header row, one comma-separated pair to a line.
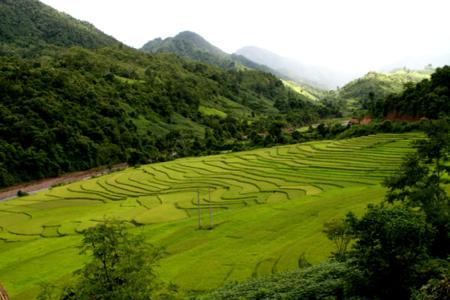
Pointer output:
x,y
418,184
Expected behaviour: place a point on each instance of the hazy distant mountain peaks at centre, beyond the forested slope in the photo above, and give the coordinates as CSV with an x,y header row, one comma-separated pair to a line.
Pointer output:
x,y
191,45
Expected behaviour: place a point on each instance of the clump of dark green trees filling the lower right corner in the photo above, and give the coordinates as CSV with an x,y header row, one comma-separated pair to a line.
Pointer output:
x,y
399,248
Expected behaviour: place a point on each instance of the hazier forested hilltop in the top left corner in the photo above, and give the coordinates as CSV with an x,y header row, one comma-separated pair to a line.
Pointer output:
x,y
28,23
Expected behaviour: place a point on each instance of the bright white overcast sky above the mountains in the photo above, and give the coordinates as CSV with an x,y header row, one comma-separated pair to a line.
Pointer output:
x,y
355,35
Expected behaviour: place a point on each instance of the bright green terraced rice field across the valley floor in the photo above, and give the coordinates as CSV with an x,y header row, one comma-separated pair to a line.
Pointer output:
x,y
268,206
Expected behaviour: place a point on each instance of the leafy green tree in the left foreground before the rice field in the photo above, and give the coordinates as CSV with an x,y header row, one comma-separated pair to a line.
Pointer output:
x,y
122,265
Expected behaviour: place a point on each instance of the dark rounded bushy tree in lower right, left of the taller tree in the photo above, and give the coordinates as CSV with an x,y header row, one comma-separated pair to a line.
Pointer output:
x,y
392,244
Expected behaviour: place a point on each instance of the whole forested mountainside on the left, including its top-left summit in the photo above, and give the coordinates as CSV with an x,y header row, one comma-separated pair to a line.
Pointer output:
x,y
72,108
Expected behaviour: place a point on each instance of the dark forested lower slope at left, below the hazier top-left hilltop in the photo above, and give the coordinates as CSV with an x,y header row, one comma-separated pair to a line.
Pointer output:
x,y
68,111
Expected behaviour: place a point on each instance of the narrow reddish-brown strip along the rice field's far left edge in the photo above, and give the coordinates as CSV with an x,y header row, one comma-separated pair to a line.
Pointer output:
x,y
35,186
